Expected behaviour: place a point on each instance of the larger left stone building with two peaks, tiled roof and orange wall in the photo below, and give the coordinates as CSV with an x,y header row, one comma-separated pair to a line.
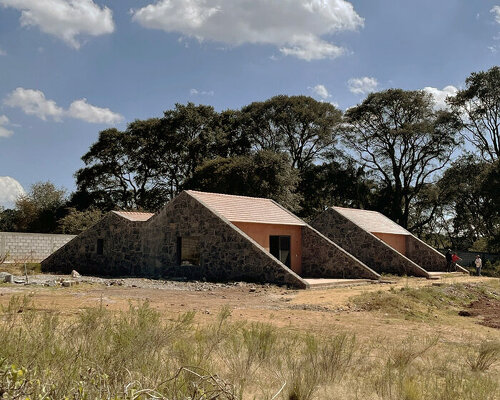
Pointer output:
x,y
213,236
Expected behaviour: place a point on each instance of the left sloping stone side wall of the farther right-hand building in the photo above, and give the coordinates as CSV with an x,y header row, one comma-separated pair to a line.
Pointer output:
x,y
365,246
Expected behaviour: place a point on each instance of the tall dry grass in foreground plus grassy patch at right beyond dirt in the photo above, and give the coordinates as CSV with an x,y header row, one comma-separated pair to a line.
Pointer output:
x,y
141,353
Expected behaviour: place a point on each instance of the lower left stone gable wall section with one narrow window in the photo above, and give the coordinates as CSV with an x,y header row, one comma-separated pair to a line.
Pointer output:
x,y
122,250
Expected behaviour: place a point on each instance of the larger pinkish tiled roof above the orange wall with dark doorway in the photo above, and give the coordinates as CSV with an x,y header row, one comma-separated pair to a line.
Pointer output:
x,y
247,209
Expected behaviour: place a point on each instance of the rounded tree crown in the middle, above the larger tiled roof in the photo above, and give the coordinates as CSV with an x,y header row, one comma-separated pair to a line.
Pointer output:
x,y
299,126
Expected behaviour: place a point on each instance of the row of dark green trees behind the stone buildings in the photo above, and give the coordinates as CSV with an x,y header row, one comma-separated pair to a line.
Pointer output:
x,y
434,171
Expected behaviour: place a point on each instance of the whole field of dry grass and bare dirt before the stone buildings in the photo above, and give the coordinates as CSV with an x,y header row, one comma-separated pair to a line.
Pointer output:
x,y
402,341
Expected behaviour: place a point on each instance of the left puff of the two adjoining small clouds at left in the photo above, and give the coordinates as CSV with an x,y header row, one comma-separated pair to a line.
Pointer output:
x,y
33,102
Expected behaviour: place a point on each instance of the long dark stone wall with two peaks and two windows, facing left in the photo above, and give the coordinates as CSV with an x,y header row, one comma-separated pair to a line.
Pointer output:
x,y
150,248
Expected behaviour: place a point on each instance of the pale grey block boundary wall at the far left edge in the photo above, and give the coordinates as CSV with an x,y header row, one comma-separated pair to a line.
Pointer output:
x,y
30,247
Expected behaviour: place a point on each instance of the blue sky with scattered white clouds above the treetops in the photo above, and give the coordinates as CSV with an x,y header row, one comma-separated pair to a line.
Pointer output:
x,y
71,68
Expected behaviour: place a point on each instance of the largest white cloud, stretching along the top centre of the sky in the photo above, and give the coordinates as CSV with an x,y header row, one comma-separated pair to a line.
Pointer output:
x,y
296,27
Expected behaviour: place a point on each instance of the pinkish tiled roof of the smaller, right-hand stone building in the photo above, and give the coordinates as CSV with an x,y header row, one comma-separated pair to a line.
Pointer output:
x,y
372,221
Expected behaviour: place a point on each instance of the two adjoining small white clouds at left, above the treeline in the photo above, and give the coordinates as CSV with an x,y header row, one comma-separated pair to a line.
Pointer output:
x,y
33,102
